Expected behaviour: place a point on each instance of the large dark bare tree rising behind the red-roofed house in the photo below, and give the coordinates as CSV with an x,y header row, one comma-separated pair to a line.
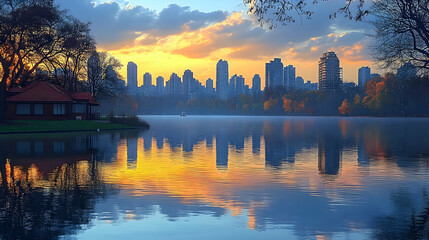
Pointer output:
x,y
35,33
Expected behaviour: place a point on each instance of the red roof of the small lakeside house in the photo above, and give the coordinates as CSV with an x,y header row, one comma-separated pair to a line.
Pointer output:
x,y
47,92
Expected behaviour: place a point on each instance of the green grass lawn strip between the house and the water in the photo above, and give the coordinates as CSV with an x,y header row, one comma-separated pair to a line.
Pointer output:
x,y
72,125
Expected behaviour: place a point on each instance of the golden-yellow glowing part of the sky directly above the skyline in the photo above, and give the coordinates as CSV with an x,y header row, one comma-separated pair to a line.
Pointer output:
x,y
194,50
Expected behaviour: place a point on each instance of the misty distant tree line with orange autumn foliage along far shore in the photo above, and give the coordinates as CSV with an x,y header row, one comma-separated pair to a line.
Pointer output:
x,y
390,95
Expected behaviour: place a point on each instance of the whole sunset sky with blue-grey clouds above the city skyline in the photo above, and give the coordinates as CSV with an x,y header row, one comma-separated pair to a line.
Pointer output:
x,y
163,37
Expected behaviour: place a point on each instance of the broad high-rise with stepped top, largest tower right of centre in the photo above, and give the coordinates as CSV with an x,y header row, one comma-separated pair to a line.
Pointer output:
x,y
329,73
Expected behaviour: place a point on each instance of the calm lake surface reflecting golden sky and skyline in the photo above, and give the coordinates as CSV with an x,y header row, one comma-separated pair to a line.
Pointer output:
x,y
220,178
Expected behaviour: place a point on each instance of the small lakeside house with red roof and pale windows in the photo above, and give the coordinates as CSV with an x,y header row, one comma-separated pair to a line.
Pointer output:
x,y
46,101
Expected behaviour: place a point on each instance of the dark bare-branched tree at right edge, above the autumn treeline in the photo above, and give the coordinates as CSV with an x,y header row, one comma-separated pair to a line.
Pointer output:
x,y
402,32
